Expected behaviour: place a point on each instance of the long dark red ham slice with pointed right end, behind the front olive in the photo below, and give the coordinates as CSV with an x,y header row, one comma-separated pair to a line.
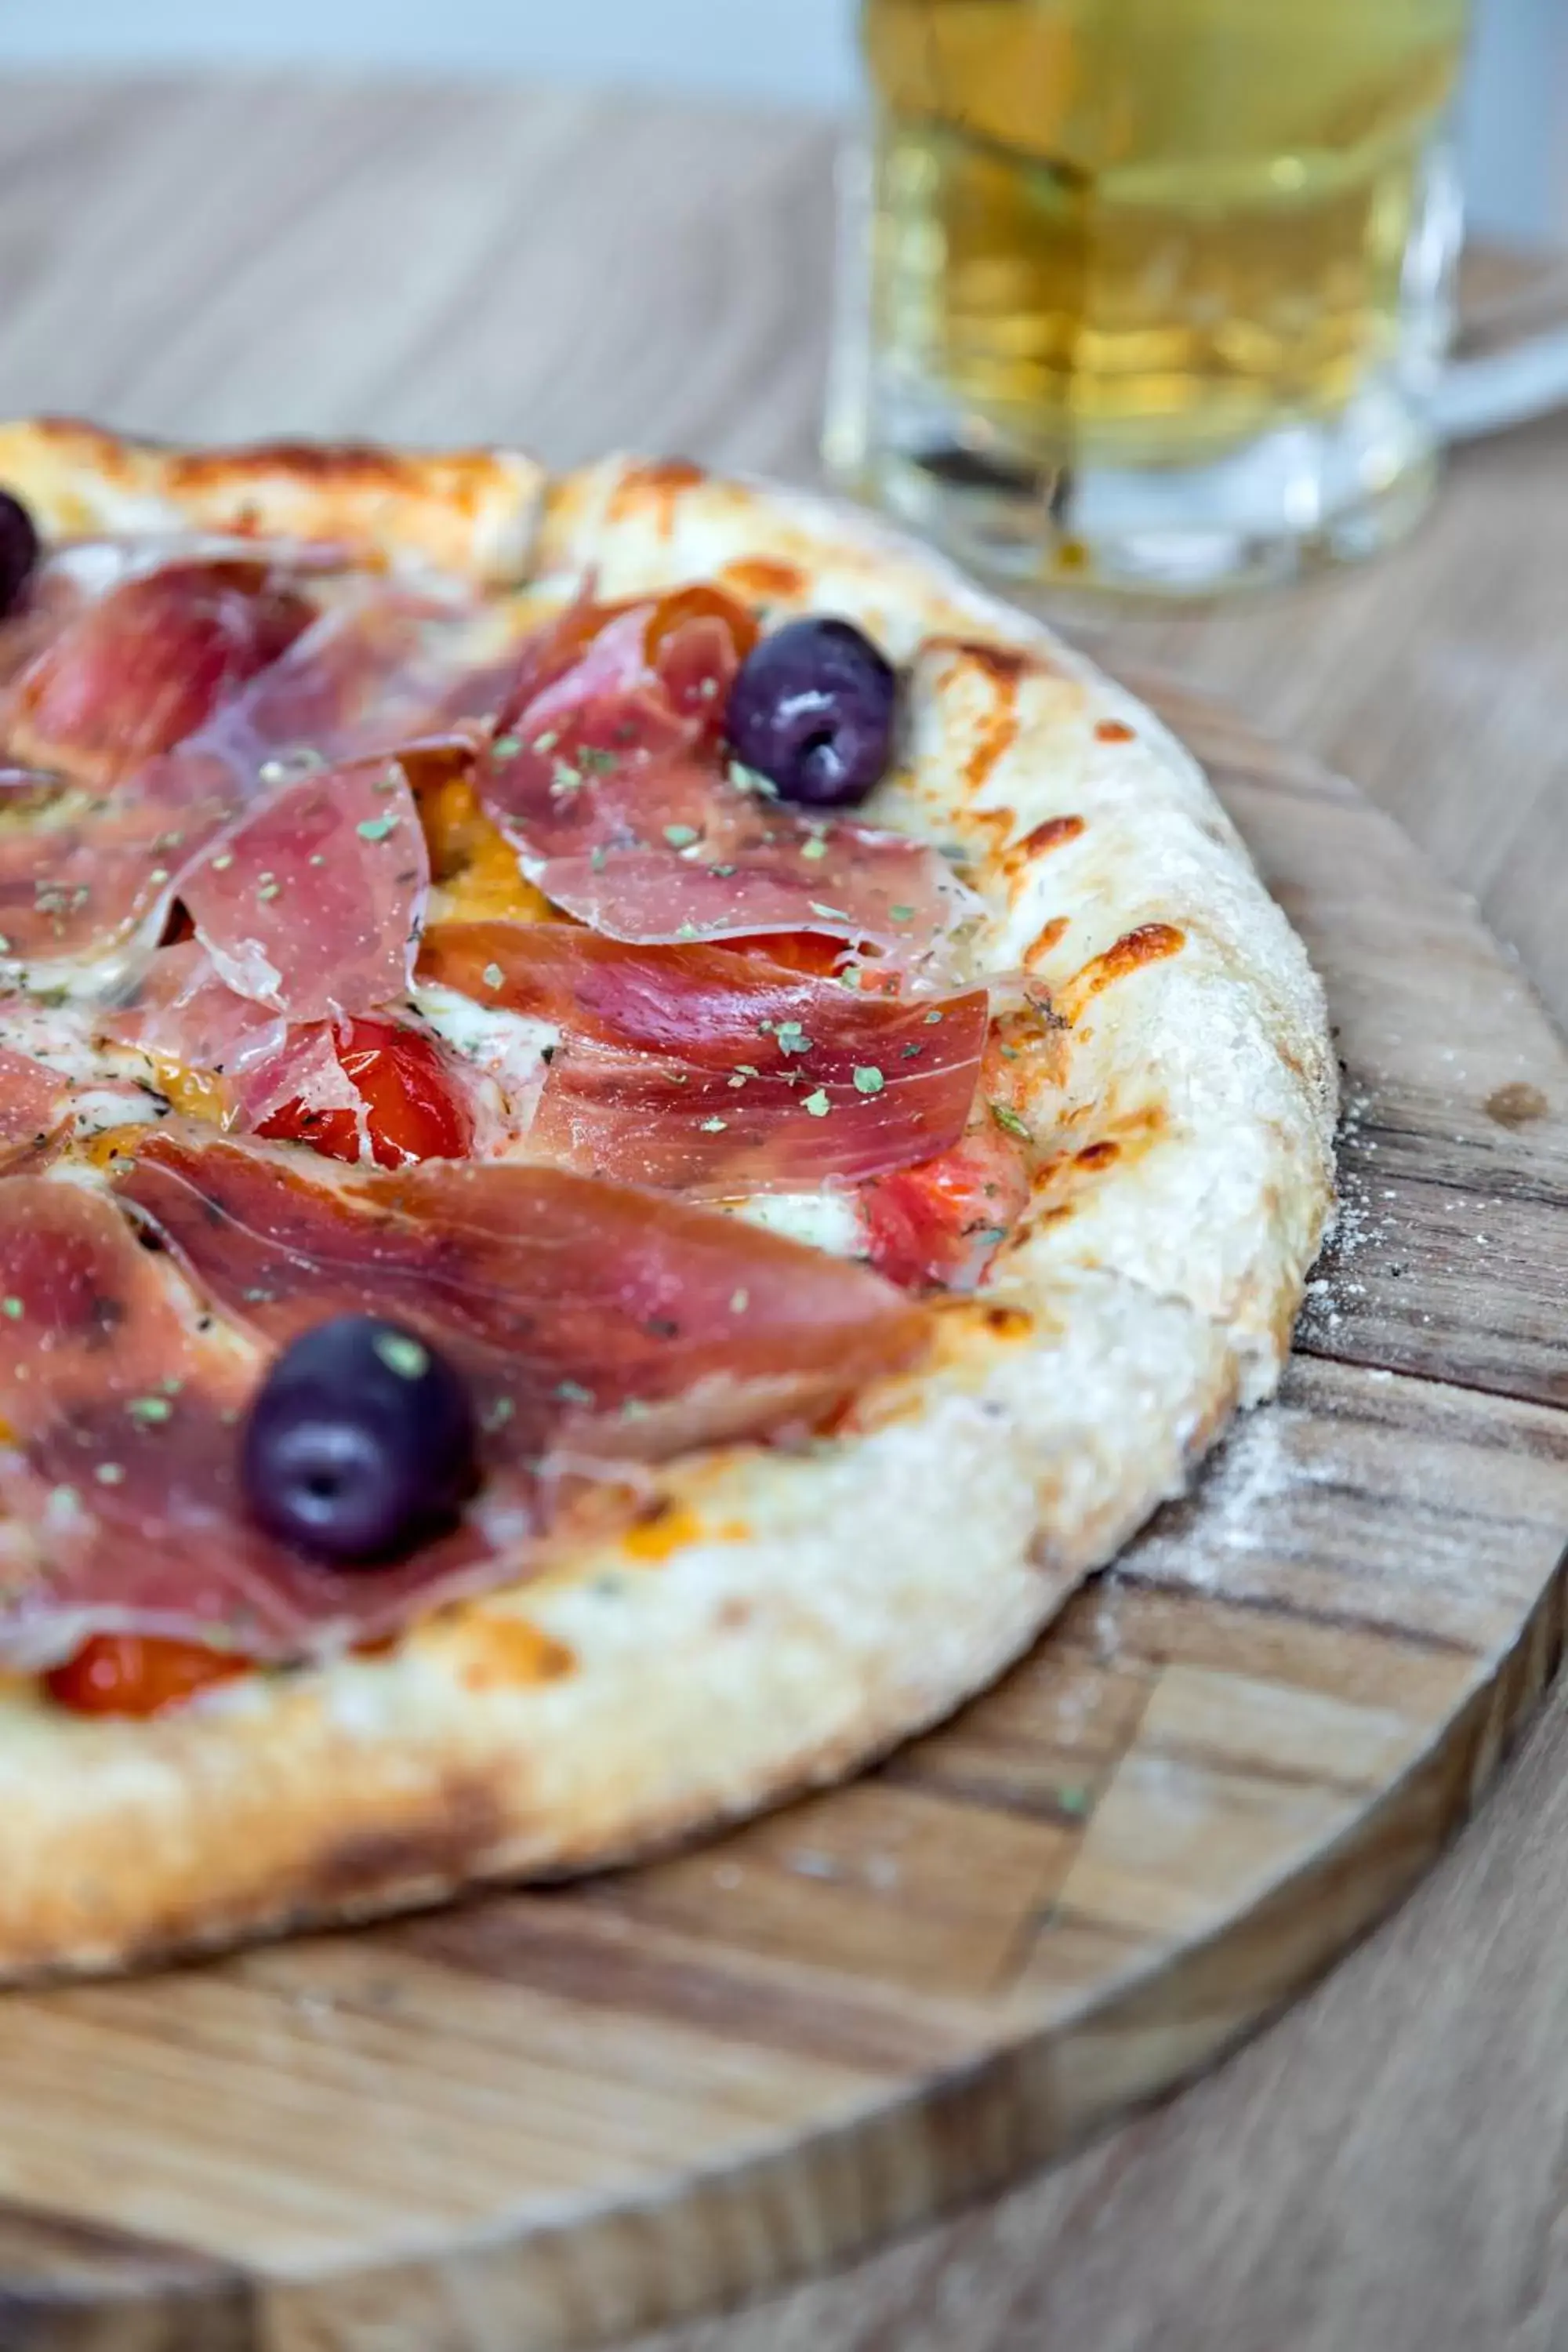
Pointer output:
x,y
594,1321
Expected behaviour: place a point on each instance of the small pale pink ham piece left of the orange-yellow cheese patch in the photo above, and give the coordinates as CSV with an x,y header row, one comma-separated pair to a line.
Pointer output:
x,y
311,904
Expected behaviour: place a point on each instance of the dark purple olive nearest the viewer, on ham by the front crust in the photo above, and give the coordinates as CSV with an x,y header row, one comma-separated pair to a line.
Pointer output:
x,y
361,1443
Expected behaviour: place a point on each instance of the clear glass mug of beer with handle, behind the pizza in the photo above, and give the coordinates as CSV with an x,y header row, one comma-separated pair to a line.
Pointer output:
x,y
1158,295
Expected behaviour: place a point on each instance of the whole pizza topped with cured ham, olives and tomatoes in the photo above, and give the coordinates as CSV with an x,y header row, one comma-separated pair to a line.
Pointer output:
x,y
634,1130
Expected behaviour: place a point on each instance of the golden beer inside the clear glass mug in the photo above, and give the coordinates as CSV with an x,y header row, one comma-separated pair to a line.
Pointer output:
x,y
1141,234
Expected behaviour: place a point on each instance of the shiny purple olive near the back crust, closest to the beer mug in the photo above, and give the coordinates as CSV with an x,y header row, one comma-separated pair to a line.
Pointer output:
x,y
815,711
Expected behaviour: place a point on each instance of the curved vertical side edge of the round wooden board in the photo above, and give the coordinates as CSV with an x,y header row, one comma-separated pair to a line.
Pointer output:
x,y
819,2205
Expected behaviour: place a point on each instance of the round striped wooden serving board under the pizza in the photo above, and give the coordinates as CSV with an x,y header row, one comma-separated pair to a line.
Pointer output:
x,y
558,2118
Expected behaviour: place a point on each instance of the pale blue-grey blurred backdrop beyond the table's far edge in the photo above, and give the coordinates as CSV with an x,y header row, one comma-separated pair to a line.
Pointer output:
x,y
782,53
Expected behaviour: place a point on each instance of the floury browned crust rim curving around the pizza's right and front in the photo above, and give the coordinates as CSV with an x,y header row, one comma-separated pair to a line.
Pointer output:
x,y
777,1622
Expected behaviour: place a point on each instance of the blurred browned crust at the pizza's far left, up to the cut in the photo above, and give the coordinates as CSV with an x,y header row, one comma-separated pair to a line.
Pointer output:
x,y
462,512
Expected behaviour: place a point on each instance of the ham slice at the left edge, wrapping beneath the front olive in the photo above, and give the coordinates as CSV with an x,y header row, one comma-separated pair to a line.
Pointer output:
x,y
123,1464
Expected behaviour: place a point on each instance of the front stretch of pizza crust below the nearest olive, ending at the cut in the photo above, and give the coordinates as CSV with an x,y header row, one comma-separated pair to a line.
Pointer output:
x,y
772,1626
